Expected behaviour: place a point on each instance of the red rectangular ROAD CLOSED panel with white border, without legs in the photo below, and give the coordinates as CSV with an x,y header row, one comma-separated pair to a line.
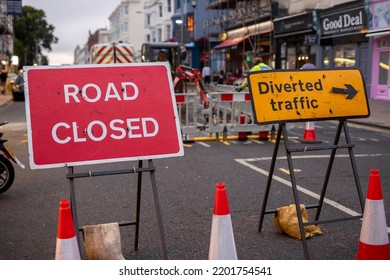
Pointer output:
x,y
100,113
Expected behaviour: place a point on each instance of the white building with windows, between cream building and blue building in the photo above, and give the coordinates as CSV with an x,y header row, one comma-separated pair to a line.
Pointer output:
x,y
158,23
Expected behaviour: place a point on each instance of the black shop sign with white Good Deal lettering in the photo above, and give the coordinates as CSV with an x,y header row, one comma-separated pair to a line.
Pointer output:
x,y
344,22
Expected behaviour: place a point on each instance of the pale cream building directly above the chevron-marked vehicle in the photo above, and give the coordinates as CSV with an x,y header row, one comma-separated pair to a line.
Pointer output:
x,y
127,23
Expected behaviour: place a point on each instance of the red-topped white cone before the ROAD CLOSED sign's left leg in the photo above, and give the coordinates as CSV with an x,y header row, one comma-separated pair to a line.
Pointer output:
x,y
66,247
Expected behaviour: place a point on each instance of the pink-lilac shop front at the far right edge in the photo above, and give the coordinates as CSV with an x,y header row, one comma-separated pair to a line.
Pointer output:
x,y
380,37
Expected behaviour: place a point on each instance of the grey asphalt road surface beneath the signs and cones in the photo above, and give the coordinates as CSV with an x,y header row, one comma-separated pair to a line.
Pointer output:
x,y
186,189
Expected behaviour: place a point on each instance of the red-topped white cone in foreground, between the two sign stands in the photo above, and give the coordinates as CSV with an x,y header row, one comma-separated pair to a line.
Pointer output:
x,y
222,245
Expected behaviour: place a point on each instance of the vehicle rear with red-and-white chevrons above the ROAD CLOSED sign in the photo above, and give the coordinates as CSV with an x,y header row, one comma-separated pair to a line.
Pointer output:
x,y
112,53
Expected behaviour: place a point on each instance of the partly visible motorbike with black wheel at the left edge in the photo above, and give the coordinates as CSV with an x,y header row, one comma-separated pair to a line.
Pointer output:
x,y
7,171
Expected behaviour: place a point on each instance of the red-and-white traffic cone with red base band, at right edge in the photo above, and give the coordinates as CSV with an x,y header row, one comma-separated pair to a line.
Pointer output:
x,y
374,239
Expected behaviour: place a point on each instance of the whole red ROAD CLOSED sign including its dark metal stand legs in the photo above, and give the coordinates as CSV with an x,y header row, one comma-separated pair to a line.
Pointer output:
x,y
134,81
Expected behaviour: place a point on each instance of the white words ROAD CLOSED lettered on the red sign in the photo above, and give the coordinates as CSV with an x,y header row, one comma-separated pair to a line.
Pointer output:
x,y
99,130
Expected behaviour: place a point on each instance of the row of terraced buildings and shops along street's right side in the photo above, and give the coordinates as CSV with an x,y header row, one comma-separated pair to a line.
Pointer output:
x,y
228,34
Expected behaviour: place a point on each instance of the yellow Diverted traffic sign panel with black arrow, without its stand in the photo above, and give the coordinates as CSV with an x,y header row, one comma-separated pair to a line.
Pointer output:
x,y
300,95
